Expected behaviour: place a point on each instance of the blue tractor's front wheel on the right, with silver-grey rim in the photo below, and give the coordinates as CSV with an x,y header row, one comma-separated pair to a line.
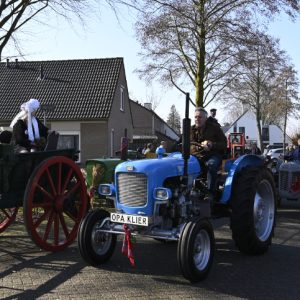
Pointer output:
x,y
195,250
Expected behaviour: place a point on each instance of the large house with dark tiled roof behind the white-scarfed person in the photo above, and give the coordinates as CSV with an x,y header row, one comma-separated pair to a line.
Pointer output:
x,y
90,100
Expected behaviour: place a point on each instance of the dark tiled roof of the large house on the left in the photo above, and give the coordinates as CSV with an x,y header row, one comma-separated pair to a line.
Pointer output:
x,y
79,89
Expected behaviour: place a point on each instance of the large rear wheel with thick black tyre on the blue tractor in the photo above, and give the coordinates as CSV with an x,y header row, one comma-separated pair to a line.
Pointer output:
x,y
253,210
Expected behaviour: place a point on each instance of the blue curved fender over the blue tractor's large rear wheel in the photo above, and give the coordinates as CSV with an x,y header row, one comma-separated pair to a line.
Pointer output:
x,y
233,168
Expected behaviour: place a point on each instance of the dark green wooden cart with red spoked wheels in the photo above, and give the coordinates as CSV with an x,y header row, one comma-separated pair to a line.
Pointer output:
x,y
50,188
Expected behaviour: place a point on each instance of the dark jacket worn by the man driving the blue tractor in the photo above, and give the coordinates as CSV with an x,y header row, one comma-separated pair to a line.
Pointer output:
x,y
210,132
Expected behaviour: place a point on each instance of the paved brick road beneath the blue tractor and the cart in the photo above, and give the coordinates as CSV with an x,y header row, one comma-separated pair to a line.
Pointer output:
x,y
28,273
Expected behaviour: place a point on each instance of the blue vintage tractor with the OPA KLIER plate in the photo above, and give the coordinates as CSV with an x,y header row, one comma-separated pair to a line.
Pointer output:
x,y
166,199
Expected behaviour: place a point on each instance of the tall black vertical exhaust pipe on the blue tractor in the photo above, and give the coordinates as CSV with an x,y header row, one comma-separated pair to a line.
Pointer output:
x,y
186,125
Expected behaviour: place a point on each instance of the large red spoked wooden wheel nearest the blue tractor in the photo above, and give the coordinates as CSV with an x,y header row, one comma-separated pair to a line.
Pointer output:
x,y
55,202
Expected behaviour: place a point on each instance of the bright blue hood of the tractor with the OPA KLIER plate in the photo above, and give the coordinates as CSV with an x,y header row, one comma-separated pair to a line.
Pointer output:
x,y
156,171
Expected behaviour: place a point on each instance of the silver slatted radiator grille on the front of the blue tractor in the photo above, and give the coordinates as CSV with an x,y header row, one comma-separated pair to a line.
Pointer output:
x,y
132,189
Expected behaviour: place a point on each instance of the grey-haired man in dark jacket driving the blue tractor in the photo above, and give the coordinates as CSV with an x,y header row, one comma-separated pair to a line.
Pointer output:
x,y
212,145
